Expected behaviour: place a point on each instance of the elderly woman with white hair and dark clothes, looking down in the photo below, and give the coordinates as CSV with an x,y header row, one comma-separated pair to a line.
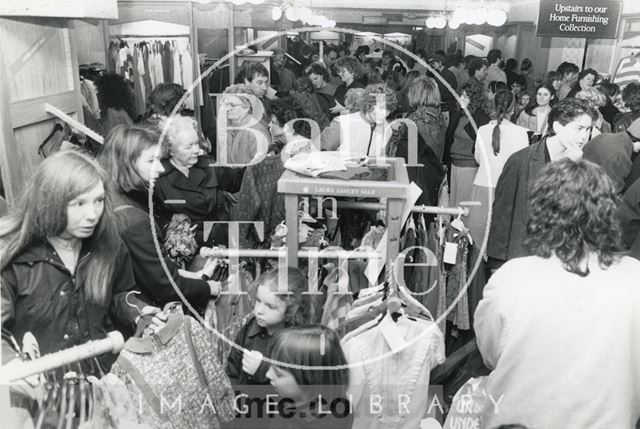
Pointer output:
x,y
189,184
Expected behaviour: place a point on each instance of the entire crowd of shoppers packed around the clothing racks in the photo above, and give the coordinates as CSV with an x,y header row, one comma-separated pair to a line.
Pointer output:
x,y
551,165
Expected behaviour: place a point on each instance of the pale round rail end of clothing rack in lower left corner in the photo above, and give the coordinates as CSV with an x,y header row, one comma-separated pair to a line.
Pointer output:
x,y
113,343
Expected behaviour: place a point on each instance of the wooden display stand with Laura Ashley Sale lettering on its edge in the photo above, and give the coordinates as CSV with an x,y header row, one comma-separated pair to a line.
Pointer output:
x,y
395,189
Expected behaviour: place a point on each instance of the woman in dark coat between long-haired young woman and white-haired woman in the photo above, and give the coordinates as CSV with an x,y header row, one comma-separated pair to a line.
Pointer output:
x,y
129,155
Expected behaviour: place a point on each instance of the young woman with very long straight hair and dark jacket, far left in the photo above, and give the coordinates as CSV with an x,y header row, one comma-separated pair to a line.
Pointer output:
x,y
65,272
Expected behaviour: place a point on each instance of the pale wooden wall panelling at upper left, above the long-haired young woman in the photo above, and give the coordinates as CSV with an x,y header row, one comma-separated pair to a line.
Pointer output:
x,y
39,64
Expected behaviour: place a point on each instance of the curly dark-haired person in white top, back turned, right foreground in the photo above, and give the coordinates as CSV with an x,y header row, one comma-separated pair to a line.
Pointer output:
x,y
564,319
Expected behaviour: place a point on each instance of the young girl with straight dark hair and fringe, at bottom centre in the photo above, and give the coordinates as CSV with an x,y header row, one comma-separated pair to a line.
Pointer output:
x,y
309,397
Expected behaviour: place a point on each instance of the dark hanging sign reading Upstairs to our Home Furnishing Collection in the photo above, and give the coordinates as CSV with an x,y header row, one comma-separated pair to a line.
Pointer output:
x,y
579,18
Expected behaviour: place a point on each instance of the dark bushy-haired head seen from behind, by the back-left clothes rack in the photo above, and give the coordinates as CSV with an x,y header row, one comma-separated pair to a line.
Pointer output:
x,y
116,101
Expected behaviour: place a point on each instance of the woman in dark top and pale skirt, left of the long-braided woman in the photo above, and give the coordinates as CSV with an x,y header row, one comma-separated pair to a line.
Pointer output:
x,y
463,165
